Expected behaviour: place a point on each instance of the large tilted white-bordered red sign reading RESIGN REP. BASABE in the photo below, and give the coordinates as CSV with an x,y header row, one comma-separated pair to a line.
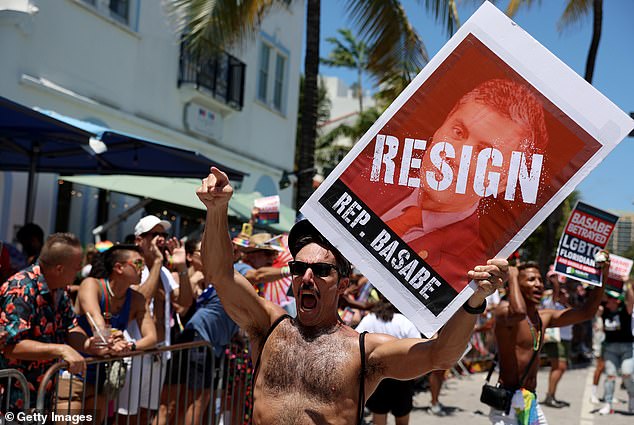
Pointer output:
x,y
479,149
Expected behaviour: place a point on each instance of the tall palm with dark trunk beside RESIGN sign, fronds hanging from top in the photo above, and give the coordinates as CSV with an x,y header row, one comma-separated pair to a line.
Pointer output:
x,y
212,24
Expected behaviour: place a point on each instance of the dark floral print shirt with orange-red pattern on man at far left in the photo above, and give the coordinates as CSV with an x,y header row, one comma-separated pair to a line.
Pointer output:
x,y
29,310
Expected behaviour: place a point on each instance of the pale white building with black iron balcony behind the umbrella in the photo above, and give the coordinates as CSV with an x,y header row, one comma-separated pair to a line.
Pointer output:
x,y
118,63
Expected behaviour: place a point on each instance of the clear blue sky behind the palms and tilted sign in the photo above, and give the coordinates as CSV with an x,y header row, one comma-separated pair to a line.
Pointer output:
x,y
611,184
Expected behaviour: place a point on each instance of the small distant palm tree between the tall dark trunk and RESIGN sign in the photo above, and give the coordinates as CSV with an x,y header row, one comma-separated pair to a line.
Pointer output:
x,y
349,53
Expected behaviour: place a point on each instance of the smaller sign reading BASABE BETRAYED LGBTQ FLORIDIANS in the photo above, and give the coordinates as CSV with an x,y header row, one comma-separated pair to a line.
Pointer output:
x,y
586,233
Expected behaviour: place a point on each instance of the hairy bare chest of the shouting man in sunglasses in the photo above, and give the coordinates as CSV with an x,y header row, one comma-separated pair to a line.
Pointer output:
x,y
325,367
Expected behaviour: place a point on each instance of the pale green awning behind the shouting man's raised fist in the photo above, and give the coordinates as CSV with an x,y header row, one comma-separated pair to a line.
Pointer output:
x,y
181,192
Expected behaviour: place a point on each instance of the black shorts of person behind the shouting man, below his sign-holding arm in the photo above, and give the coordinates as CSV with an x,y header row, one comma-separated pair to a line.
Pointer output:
x,y
392,396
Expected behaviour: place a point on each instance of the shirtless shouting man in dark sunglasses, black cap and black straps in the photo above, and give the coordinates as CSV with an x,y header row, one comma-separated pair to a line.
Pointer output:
x,y
315,369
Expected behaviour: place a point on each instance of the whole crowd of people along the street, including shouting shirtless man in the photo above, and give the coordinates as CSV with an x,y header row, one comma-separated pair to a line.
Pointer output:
x,y
329,347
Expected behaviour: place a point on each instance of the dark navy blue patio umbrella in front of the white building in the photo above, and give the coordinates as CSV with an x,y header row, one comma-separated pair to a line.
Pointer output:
x,y
41,141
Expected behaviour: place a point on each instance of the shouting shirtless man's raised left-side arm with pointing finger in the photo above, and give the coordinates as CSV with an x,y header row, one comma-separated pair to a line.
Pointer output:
x,y
238,297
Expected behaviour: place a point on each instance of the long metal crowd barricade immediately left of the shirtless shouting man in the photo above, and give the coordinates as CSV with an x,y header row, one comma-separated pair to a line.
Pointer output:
x,y
179,384
